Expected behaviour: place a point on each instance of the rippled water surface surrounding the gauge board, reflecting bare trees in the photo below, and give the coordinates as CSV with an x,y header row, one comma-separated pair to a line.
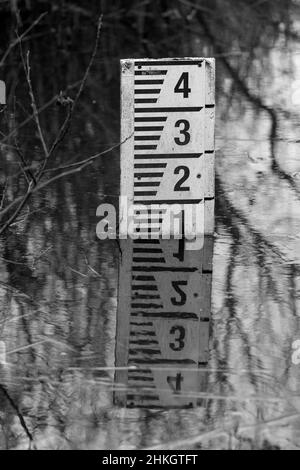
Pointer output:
x,y
58,282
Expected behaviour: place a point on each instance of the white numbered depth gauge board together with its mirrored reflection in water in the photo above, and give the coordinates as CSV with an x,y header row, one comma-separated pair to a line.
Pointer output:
x,y
167,179
